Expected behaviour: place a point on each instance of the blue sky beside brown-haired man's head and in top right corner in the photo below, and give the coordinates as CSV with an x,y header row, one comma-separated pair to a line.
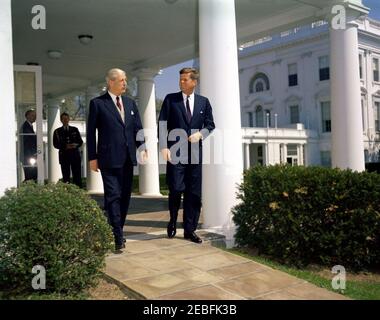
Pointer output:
x,y
167,82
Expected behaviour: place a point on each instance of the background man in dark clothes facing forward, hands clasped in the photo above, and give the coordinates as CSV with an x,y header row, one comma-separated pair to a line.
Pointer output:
x,y
68,140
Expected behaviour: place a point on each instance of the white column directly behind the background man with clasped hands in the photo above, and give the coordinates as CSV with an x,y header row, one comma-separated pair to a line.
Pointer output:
x,y
54,169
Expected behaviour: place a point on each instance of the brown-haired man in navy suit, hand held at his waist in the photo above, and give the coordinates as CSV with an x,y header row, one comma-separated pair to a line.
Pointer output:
x,y
188,117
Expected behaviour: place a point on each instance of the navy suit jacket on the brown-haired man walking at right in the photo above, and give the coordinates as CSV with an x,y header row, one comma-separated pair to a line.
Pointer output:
x,y
173,114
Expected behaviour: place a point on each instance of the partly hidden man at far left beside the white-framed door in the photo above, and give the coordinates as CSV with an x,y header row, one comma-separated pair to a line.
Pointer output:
x,y
29,146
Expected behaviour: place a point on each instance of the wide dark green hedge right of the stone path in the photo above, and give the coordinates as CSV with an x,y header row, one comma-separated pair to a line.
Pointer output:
x,y
303,215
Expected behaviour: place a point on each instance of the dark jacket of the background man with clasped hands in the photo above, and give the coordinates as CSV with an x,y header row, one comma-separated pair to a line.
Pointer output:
x,y
61,138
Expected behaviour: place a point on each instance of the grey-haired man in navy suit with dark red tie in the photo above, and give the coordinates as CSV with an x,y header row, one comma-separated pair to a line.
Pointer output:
x,y
118,123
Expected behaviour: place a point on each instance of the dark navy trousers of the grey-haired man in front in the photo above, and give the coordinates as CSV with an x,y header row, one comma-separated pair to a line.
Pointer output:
x,y
117,183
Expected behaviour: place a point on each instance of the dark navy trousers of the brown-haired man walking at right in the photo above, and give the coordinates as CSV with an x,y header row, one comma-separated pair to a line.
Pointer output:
x,y
186,180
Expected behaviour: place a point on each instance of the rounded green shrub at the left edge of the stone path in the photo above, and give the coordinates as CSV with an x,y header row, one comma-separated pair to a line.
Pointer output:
x,y
57,226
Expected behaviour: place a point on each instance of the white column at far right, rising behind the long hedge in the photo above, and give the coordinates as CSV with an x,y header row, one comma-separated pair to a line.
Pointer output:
x,y
346,117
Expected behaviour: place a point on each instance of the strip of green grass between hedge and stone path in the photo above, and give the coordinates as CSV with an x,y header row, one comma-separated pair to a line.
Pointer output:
x,y
359,286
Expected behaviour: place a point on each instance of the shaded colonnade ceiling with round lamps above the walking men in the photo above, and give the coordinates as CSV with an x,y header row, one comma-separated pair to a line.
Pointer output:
x,y
131,34
